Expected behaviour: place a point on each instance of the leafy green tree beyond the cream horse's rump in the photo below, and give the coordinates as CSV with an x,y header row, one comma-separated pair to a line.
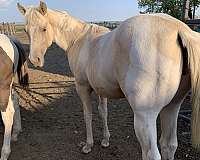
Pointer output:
x,y
171,7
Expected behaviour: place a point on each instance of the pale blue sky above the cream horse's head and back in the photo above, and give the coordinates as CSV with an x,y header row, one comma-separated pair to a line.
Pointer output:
x,y
88,10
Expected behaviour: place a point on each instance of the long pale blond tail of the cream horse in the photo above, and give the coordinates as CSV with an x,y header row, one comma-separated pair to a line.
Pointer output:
x,y
191,42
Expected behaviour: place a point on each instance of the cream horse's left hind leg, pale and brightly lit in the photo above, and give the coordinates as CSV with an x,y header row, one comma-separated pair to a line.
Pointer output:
x,y
145,116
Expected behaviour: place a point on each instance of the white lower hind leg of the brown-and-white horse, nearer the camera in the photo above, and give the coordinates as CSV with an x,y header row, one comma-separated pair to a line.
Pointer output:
x,y
8,122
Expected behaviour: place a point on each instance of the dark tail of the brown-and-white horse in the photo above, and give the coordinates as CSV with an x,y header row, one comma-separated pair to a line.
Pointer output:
x,y
22,67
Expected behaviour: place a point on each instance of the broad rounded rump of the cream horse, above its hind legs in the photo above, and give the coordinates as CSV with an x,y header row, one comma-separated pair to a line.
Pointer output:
x,y
148,61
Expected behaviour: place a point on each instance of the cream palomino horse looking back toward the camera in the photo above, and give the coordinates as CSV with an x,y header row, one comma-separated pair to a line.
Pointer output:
x,y
145,60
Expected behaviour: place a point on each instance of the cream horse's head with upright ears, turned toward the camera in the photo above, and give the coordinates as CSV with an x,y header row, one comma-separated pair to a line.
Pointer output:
x,y
39,30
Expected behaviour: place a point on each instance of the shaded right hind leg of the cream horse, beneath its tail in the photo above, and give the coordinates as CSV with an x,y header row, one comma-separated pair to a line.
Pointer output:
x,y
168,117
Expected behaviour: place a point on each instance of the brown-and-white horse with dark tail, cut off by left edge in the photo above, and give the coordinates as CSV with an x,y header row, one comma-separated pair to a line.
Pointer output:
x,y
12,61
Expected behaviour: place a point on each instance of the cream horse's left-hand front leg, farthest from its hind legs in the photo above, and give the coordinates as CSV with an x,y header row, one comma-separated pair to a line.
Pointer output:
x,y
84,92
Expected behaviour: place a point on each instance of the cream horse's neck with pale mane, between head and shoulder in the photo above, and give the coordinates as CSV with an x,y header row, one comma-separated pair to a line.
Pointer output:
x,y
71,34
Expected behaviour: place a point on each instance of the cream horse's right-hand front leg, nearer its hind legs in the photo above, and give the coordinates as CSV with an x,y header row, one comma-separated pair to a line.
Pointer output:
x,y
103,110
